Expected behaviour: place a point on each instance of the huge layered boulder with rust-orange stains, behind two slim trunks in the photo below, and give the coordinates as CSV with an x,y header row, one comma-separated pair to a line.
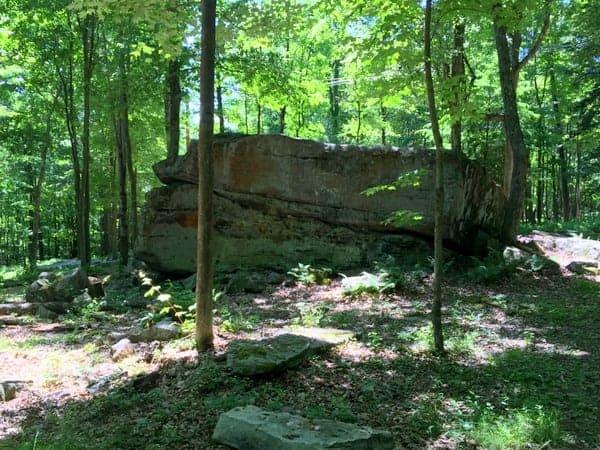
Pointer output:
x,y
280,201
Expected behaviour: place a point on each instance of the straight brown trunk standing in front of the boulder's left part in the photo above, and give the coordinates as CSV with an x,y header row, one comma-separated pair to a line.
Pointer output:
x,y
204,256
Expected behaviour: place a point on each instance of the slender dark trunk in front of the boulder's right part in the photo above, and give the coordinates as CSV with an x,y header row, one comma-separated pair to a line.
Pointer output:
x,y
436,309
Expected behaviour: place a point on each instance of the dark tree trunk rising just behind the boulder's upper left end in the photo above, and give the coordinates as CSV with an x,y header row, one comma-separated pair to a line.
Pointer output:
x,y
172,108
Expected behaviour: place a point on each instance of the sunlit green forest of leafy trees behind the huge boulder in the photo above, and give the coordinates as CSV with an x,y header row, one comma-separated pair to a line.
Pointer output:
x,y
92,93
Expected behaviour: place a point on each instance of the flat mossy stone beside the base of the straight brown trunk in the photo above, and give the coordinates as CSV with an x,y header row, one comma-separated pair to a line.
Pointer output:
x,y
275,354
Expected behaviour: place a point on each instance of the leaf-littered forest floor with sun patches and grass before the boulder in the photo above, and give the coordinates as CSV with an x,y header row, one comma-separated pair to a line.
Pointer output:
x,y
522,369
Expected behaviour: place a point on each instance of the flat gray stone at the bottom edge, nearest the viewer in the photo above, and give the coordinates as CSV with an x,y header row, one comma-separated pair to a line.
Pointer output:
x,y
252,428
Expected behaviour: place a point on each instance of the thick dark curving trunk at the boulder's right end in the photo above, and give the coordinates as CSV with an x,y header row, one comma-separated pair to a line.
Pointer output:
x,y
514,137
